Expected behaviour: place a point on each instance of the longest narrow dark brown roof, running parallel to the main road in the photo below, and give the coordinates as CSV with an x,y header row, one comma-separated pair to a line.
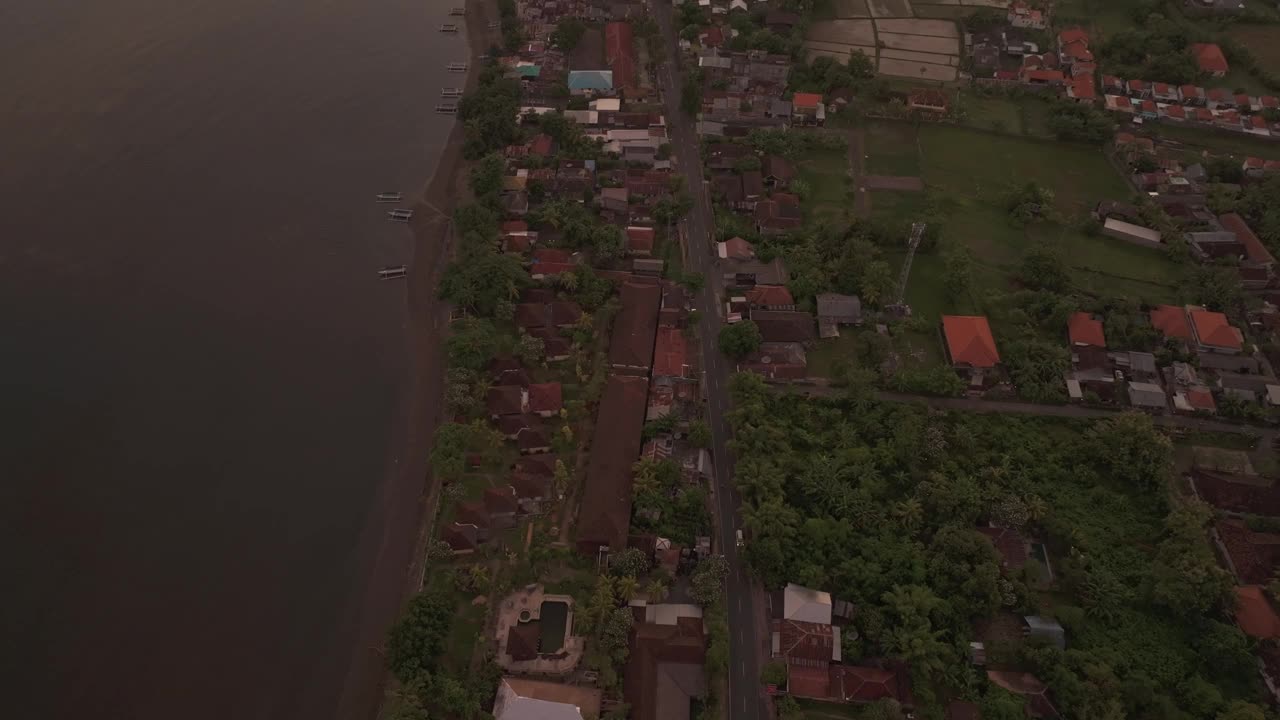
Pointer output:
x,y
605,517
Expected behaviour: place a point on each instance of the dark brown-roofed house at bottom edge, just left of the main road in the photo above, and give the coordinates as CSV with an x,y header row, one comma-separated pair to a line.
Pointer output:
x,y
665,669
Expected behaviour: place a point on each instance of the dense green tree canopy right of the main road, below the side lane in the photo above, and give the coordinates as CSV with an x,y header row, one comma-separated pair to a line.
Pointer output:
x,y
880,505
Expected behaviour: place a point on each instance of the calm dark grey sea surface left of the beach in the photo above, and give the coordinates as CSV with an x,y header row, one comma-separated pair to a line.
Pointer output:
x,y
200,373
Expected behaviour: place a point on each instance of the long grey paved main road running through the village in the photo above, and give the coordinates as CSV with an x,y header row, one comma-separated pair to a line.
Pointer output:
x,y
744,701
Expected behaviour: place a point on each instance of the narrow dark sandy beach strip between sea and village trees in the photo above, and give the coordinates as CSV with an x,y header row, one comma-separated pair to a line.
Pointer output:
x,y
403,518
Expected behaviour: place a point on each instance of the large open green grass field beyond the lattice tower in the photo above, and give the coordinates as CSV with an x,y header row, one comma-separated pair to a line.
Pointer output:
x,y
968,176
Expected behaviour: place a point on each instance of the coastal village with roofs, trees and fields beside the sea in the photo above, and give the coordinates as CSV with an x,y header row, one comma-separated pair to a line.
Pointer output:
x,y
862,359
